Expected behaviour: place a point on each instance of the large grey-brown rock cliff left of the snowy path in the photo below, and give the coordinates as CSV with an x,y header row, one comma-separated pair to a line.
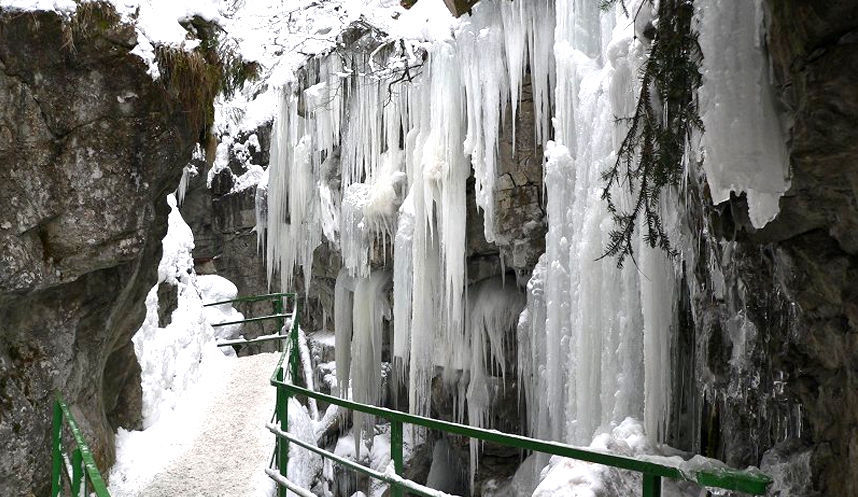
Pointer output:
x,y
90,147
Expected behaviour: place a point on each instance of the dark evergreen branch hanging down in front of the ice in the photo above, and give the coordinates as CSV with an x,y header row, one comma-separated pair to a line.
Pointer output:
x,y
650,158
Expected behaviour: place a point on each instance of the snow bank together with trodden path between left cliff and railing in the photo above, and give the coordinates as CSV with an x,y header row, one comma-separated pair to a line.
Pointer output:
x,y
195,400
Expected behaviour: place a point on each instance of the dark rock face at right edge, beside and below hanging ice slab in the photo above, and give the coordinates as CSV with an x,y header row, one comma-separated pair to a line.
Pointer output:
x,y
775,322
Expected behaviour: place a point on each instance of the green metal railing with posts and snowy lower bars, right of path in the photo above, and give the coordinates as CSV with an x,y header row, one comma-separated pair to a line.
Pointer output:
x,y
713,476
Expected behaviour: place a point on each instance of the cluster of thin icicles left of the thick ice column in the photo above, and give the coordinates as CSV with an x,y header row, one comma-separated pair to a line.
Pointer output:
x,y
402,155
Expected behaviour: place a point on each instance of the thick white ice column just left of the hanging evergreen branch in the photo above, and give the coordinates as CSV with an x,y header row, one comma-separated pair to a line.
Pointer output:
x,y
597,336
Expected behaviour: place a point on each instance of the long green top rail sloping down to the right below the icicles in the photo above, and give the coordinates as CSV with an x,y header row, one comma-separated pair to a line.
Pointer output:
x,y
724,478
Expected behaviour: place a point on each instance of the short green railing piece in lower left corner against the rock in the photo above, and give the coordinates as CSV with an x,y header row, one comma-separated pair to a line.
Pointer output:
x,y
78,470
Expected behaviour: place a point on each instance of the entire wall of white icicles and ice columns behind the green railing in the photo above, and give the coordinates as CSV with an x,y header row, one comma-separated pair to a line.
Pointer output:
x,y
594,341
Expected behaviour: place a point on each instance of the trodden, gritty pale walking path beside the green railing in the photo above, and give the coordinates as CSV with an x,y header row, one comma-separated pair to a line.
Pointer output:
x,y
232,448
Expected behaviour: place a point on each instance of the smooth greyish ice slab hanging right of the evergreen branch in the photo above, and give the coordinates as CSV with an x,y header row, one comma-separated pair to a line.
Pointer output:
x,y
738,108
